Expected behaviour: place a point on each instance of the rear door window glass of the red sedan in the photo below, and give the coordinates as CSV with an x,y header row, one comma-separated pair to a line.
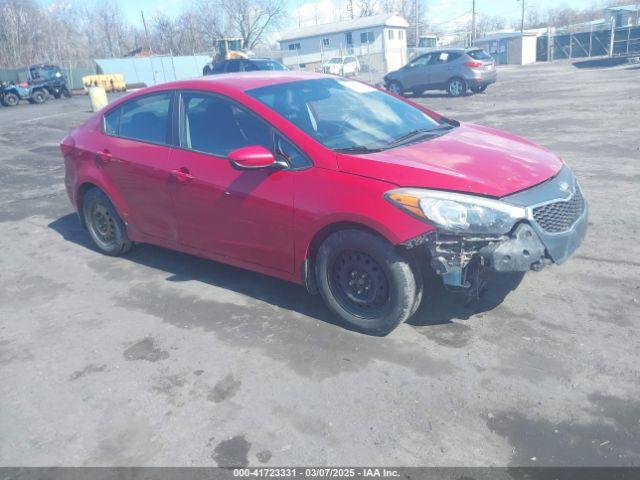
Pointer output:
x,y
146,119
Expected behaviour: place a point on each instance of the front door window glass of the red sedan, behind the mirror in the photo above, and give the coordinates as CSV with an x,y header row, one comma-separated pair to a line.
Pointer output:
x,y
215,125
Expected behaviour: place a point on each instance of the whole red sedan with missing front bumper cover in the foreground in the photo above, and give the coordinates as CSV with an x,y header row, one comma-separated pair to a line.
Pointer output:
x,y
321,181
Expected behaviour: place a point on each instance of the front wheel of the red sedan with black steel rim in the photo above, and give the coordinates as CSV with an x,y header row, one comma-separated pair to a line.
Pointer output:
x,y
366,282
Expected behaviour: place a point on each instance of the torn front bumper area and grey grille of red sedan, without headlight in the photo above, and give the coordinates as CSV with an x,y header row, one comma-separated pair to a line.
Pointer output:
x,y
556,224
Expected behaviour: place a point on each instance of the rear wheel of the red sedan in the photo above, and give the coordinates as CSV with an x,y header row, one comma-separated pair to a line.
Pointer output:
x,y
106,228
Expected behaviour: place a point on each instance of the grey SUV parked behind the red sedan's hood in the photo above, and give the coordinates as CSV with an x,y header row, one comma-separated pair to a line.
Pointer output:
x,y
455,70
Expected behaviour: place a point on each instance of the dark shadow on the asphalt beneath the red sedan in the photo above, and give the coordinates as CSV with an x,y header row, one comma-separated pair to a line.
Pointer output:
x,y
439,305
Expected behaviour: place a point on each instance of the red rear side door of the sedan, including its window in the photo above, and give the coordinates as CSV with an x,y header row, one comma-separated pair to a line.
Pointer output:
x,y
133,156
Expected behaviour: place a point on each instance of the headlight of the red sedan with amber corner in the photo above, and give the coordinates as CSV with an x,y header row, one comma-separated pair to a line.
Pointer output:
x,y
457,212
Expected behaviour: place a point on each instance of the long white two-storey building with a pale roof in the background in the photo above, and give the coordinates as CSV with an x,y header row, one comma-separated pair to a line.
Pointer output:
x,y
379,42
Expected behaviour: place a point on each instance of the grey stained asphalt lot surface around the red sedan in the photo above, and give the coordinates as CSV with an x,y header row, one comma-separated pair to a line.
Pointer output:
x,y
160,358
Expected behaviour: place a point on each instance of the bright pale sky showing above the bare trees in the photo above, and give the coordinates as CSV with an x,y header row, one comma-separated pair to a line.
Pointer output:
x,y
447,14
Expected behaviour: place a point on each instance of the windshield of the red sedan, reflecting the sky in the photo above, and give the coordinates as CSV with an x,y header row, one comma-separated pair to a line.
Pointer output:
x,y
347,115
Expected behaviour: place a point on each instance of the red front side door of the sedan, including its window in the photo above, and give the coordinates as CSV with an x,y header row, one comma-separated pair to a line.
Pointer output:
x,y
243,214
